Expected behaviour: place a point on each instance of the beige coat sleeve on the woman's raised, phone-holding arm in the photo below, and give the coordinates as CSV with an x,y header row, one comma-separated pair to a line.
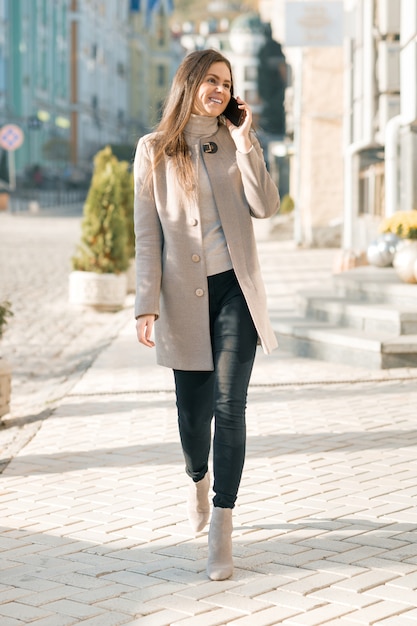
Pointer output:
x,y
260,190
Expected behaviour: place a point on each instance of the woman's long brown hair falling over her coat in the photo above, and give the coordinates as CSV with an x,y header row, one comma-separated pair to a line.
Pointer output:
x,y
169,139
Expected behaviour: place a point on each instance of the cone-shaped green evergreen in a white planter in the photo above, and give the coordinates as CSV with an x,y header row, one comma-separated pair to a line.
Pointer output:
x,y
99,265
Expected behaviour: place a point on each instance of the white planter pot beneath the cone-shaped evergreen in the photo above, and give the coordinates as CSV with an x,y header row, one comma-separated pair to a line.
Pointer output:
x,y
104,292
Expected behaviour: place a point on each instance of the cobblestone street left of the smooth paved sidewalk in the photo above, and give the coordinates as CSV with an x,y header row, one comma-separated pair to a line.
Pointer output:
x,y
48,343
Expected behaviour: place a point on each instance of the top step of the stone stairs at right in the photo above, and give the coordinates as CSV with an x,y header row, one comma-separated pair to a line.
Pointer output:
x,y
375,284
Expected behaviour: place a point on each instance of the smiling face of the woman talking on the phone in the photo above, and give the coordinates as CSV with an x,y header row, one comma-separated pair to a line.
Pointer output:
x,y
214,92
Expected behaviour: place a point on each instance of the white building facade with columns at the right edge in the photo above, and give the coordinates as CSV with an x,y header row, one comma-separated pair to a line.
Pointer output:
x,y
381,115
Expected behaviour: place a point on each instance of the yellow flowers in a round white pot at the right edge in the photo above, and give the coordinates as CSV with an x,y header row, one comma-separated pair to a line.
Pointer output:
x,y
404,225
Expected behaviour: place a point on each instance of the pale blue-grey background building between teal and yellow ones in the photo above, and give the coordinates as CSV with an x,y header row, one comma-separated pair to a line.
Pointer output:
x,y
99,76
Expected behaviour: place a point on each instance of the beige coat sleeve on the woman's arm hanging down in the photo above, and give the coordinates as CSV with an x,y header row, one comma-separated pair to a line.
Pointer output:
x,y
148,236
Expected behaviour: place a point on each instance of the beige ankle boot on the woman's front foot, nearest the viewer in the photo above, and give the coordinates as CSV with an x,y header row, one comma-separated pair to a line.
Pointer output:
x,y
220,559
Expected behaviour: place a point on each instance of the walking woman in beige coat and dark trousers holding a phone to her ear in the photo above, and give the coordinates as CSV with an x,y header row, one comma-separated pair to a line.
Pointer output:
x,y
198,181
